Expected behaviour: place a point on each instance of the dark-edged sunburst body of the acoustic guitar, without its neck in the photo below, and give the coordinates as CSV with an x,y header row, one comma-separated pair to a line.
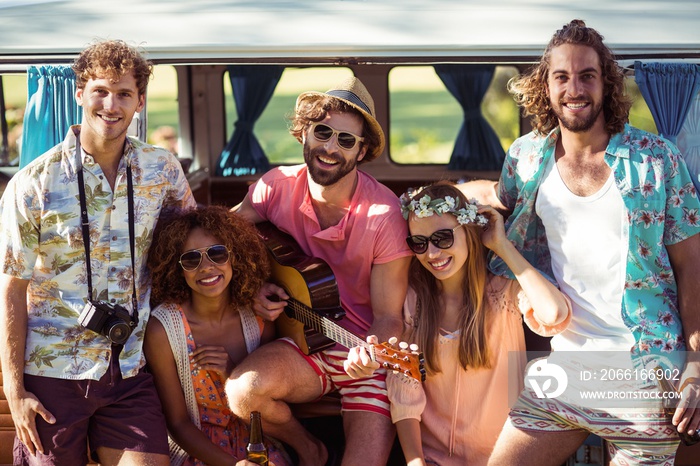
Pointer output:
x,y
308,280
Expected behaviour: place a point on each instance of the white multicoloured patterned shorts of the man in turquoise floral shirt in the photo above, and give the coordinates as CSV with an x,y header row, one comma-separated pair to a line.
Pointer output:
x,y
633,437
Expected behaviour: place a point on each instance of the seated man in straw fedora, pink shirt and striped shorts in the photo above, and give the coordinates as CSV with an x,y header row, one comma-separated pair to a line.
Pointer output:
x,y
339,214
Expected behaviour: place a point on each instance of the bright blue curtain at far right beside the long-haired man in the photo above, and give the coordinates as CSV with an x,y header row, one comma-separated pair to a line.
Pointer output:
x,y
668,89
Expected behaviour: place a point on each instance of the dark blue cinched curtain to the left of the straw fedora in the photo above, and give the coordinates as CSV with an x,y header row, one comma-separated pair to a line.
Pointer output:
x,y
252,86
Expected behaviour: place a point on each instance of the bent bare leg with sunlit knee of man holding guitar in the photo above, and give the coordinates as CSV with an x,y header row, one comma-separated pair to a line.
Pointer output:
x,y
269,378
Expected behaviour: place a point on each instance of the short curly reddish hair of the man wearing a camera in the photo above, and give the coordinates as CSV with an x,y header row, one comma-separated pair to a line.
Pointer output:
x,y
112,59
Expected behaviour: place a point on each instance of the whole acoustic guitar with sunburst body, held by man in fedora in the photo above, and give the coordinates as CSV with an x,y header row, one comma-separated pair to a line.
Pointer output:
x,y
313,313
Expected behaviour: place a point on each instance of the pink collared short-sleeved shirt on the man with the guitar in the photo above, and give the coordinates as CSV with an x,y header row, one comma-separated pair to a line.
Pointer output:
x,y
372,232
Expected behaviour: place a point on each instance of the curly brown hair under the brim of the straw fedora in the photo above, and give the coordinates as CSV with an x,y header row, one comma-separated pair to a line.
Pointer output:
x,y
314,110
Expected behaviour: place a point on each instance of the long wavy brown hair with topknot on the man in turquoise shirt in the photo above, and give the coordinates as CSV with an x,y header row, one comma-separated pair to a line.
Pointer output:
x,y
531,91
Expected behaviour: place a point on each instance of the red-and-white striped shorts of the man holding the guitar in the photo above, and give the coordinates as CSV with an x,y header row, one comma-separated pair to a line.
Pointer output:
x,y
368,394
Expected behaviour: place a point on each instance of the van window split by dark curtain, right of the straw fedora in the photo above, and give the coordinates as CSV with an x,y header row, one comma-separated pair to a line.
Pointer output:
x,y
425,118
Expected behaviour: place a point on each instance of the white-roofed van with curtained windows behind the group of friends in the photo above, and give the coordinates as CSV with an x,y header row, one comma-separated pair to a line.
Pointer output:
x,y
403,51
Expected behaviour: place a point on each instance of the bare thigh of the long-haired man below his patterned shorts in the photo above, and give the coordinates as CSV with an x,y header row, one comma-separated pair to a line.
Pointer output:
x,y
516,447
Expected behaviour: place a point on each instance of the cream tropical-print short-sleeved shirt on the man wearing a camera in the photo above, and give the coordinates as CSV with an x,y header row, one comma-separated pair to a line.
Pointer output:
x,y
41,241
